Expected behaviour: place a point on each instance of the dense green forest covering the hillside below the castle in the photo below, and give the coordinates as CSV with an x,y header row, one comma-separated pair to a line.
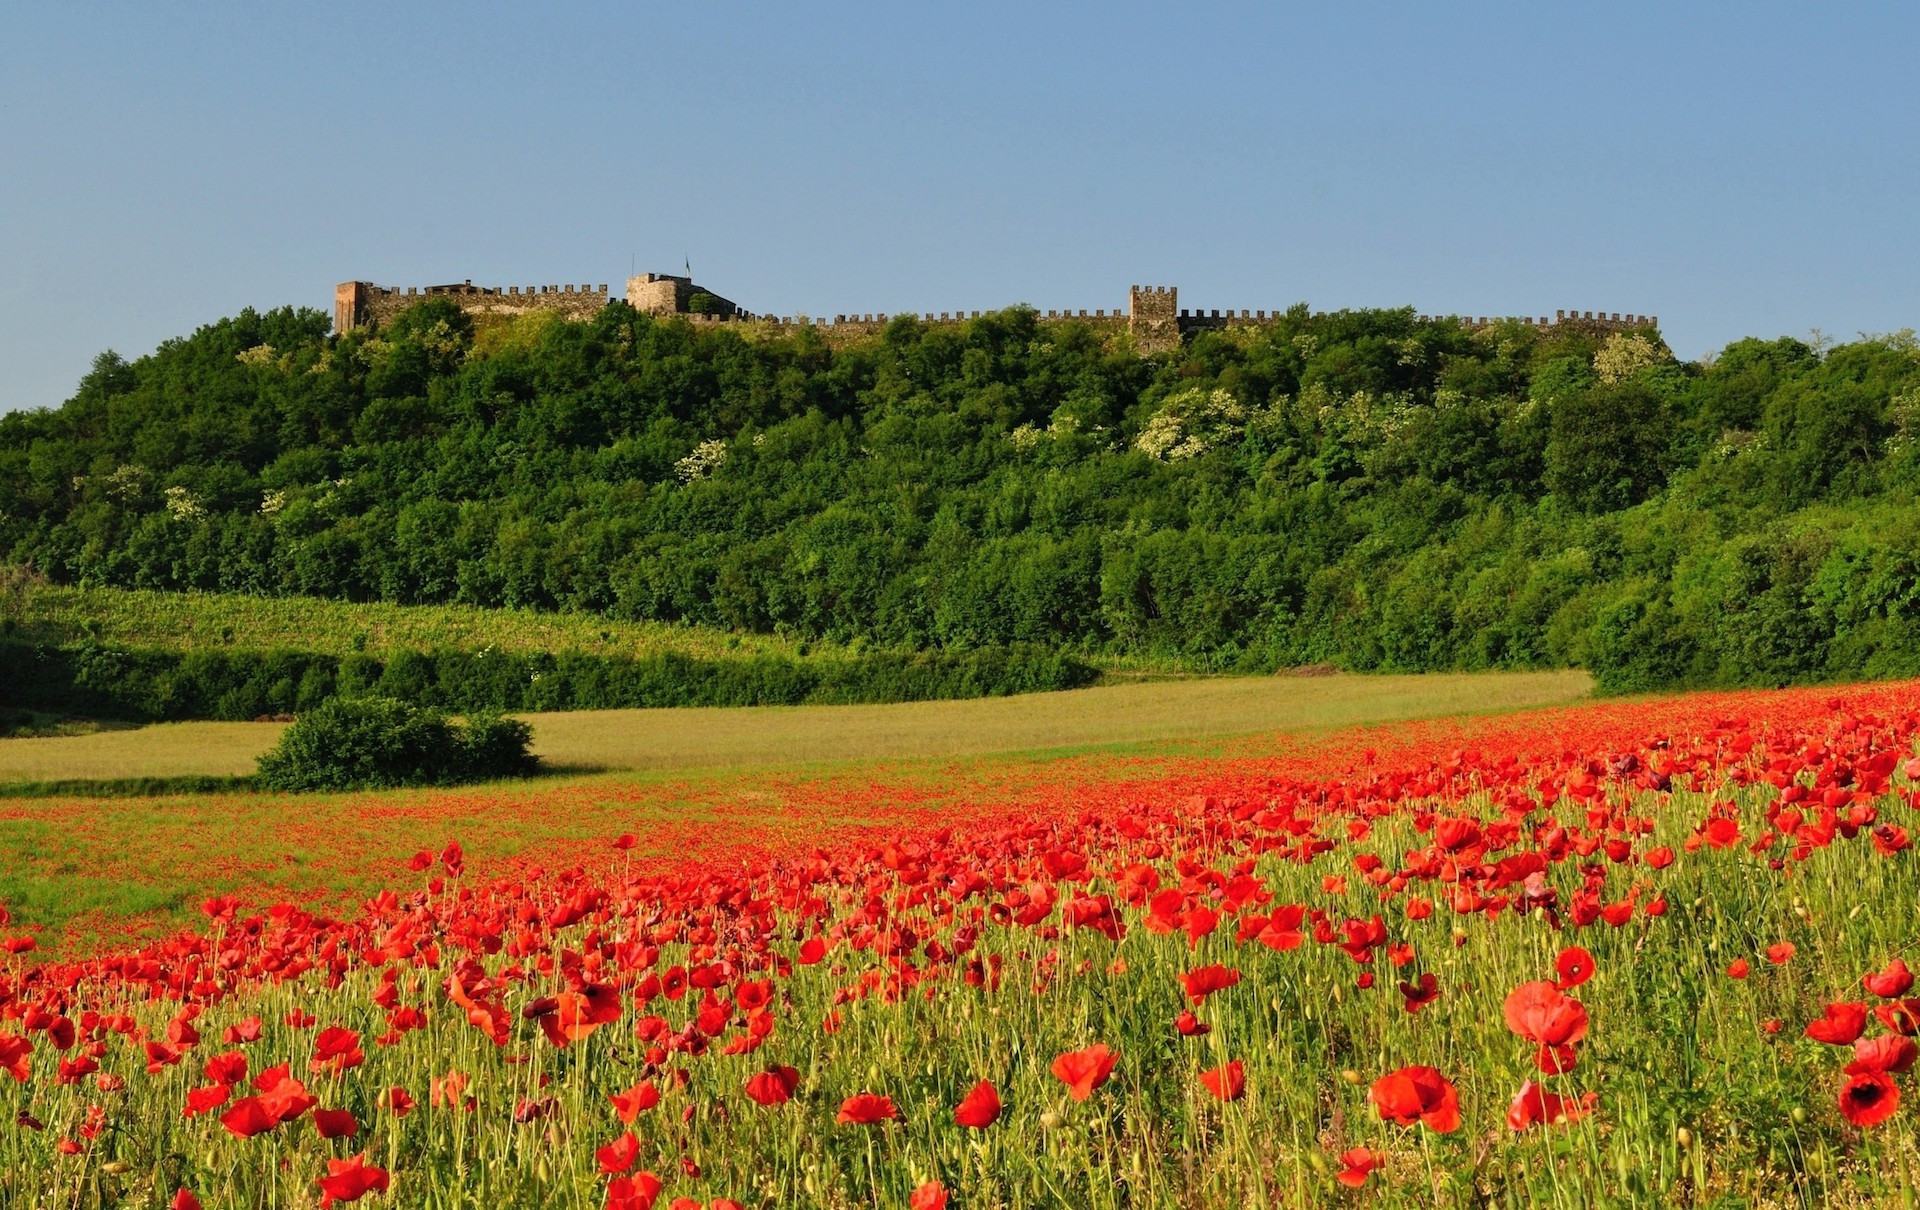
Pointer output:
x,y
1362,489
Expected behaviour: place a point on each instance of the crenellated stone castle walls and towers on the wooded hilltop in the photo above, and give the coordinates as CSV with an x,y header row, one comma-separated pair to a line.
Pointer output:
x,y
1153,318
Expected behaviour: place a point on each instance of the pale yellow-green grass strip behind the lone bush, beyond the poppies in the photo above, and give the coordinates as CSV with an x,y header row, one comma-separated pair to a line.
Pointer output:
x,y
692,738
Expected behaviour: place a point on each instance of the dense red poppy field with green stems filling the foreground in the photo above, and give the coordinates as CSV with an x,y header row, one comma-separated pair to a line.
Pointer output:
x,y
1637,954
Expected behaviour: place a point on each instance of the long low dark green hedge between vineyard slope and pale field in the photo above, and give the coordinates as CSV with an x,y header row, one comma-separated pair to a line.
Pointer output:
x,y
153,685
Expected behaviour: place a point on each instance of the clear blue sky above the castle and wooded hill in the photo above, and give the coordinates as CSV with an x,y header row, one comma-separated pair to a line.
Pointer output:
x,y
1735,170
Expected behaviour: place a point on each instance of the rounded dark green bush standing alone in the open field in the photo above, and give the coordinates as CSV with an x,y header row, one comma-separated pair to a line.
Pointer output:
x,y
379,742
